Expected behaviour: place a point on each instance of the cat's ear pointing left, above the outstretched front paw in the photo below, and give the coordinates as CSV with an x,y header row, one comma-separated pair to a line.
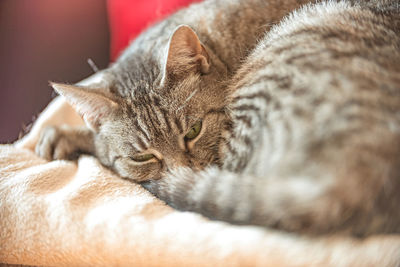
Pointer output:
x,y
94,107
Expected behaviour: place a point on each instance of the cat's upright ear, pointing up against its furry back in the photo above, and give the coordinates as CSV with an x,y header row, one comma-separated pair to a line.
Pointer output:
x,y
186,53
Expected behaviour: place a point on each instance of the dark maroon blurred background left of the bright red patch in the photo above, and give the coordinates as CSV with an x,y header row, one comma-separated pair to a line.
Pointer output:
x,y
42,41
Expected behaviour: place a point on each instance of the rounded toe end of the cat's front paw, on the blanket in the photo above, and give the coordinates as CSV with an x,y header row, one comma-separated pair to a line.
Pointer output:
x,y
55,143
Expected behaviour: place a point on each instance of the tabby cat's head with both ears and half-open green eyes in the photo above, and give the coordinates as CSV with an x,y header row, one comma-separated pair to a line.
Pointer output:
x,y
152,115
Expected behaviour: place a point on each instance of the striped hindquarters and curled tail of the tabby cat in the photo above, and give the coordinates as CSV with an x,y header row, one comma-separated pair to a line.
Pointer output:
x,y
315,146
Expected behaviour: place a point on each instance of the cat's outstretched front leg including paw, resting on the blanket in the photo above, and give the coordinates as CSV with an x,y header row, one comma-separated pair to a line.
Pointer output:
x,y
64,142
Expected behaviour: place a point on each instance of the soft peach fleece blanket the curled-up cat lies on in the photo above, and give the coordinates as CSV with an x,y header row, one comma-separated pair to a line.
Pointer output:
x,y
64,213
